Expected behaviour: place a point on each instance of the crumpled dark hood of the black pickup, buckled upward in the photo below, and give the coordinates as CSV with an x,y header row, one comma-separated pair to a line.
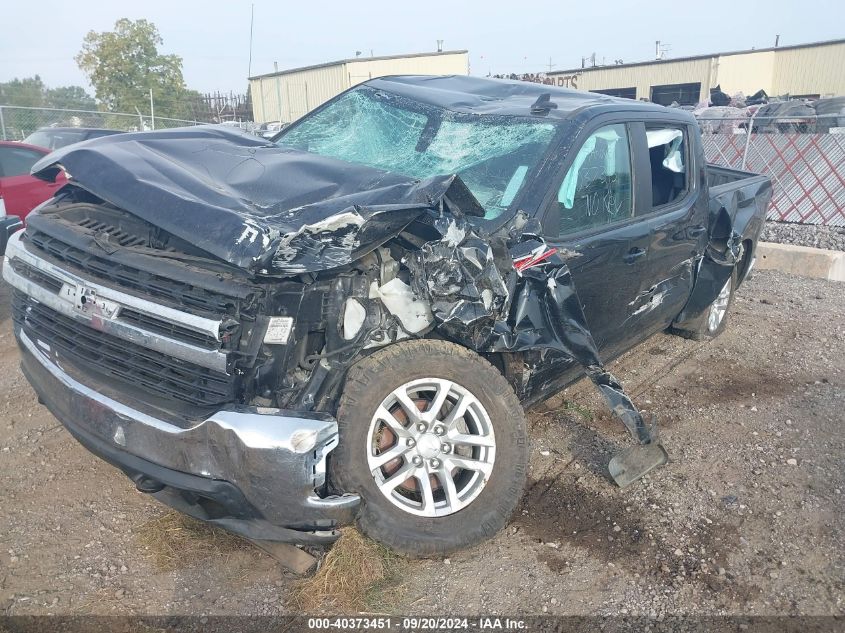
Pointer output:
x,y
249,202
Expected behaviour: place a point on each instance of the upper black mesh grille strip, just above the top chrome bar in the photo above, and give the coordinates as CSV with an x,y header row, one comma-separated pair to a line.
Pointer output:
x,y
175,292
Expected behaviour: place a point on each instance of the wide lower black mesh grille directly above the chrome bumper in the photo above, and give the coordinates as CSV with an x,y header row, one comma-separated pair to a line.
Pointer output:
x,y
142,368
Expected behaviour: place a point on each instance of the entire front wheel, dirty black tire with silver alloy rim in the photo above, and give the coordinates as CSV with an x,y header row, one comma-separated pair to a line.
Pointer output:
x,y
478,504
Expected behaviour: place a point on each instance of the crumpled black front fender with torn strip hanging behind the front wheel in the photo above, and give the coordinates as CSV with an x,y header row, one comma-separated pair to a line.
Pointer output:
x,y
536,308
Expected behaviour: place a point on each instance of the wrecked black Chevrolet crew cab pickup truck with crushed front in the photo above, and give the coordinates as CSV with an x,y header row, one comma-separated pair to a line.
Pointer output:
x,y
345,323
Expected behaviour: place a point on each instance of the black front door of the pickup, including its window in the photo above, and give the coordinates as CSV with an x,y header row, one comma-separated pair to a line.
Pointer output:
x,y
592,218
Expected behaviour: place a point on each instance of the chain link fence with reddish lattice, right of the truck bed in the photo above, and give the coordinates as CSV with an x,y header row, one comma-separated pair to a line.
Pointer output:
x,y
804,157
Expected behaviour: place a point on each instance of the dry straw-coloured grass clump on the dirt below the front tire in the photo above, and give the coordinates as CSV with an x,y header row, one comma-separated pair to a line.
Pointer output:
x,y
356,575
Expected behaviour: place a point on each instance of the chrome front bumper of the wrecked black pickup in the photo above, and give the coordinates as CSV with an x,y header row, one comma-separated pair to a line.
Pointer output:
x,y
252,471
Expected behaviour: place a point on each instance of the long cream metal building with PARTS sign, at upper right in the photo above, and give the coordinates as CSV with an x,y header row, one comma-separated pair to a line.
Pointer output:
x,y
805,70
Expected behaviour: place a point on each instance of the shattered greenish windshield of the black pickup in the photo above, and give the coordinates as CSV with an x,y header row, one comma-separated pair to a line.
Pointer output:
x,y
492,154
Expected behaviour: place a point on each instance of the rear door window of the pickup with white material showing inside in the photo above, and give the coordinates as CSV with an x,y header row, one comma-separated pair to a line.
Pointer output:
x,y
667,154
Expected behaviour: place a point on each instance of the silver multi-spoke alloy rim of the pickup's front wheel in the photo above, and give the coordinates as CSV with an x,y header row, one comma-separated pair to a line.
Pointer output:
x,y
431,447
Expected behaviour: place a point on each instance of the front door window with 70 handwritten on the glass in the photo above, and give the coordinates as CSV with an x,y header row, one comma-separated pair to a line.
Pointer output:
x,y
597,188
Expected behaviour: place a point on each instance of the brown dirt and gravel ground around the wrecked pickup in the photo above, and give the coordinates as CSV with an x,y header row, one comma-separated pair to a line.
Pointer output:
x,y
746,519
